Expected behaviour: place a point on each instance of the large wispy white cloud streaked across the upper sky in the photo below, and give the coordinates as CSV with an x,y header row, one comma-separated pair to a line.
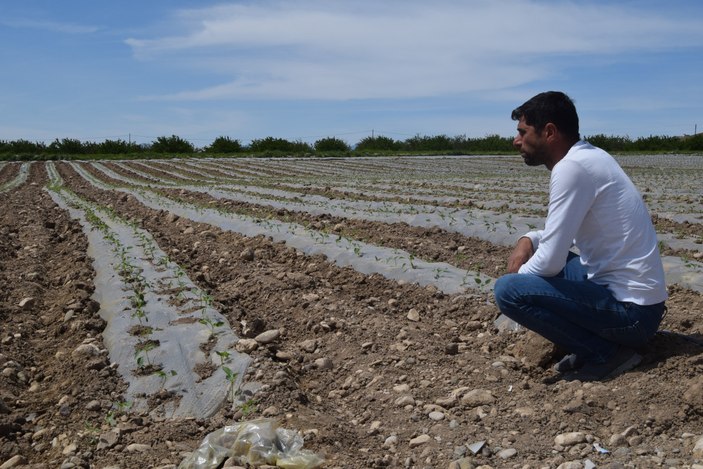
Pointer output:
x,y
315,49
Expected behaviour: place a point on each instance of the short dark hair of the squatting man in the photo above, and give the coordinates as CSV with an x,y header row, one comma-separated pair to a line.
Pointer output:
x,y
550,106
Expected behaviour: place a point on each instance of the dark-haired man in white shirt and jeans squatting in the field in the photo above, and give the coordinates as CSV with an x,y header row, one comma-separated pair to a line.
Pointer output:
x,y
609,299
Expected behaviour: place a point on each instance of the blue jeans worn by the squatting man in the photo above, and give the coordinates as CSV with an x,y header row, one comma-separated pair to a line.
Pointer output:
x,y
576,314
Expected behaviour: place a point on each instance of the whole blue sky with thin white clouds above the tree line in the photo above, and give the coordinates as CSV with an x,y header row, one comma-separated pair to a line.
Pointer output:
x,y
308,69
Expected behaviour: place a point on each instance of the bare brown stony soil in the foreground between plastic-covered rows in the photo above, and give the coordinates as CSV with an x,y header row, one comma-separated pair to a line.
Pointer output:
x,y
367,384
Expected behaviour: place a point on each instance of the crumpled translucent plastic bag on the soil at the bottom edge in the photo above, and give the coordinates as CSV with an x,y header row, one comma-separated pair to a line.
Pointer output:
x,y
257,442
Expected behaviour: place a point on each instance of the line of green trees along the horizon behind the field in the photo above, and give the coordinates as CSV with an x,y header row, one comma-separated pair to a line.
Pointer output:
x,y
330,146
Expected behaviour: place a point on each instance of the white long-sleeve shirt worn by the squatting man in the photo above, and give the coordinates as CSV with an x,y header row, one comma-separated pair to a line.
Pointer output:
x,y
596,207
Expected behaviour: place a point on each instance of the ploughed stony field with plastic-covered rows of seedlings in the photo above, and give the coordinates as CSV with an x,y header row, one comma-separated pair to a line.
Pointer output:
x,y
146,304
